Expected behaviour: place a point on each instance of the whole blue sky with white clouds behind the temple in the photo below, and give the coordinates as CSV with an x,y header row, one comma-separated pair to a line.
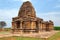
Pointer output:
x,y
46,9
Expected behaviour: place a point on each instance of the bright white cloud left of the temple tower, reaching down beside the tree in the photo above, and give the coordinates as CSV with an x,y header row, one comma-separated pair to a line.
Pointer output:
x,y
7,15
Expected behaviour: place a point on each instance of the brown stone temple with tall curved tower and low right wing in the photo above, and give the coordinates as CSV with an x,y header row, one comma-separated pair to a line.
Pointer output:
x,y
27,22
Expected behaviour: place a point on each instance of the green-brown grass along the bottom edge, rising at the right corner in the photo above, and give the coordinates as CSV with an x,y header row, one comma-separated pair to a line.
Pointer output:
x,y
55,37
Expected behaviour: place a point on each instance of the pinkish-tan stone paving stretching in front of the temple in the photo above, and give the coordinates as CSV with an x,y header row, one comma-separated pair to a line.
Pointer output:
x,y
37,35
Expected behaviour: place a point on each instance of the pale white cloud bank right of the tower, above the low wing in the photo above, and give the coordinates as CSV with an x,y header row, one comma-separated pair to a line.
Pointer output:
x,y
54,16
